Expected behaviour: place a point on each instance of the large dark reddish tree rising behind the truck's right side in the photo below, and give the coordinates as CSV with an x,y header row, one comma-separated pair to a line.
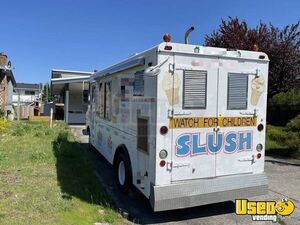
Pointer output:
x,y
281,45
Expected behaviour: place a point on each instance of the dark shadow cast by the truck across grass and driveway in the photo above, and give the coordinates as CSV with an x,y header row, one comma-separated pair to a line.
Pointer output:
x,y
77,166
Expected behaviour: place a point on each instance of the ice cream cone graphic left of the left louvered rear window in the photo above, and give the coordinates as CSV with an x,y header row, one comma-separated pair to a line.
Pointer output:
x,y
171,82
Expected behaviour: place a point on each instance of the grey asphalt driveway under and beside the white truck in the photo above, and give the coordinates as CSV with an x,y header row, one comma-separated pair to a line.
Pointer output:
x,y
284,182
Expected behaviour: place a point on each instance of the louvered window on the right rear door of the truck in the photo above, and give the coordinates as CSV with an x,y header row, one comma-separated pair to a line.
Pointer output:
x,y
237,94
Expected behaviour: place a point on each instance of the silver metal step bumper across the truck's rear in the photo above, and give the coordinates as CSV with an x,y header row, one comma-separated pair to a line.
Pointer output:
x,y
207,191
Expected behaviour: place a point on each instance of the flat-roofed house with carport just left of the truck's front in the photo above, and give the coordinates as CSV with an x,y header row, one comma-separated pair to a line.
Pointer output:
x,y
71,92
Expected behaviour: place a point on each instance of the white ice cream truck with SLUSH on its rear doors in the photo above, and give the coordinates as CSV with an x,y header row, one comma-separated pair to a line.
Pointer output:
x,y
185,124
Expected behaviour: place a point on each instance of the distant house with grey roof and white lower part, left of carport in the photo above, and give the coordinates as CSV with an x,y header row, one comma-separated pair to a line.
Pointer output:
x,y
25,93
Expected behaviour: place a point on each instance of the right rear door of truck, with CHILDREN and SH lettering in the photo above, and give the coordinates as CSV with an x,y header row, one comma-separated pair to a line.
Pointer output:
x,y
236,117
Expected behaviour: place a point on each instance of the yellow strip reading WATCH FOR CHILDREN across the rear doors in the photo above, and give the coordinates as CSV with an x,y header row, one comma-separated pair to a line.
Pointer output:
x,y
206,122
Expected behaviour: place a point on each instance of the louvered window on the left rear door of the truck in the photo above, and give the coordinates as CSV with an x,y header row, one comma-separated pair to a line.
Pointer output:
x,y
194,89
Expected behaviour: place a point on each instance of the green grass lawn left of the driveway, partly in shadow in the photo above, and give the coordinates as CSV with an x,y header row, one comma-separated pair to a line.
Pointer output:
x,y
47,178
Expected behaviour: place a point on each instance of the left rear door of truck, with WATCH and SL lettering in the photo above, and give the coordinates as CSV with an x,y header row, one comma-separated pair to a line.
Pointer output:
x,y
194,97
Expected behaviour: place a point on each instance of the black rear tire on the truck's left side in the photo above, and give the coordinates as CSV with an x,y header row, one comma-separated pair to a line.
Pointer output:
x,y
127,181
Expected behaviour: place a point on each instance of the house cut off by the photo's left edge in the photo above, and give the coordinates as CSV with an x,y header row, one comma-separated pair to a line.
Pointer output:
x,y
7,83
